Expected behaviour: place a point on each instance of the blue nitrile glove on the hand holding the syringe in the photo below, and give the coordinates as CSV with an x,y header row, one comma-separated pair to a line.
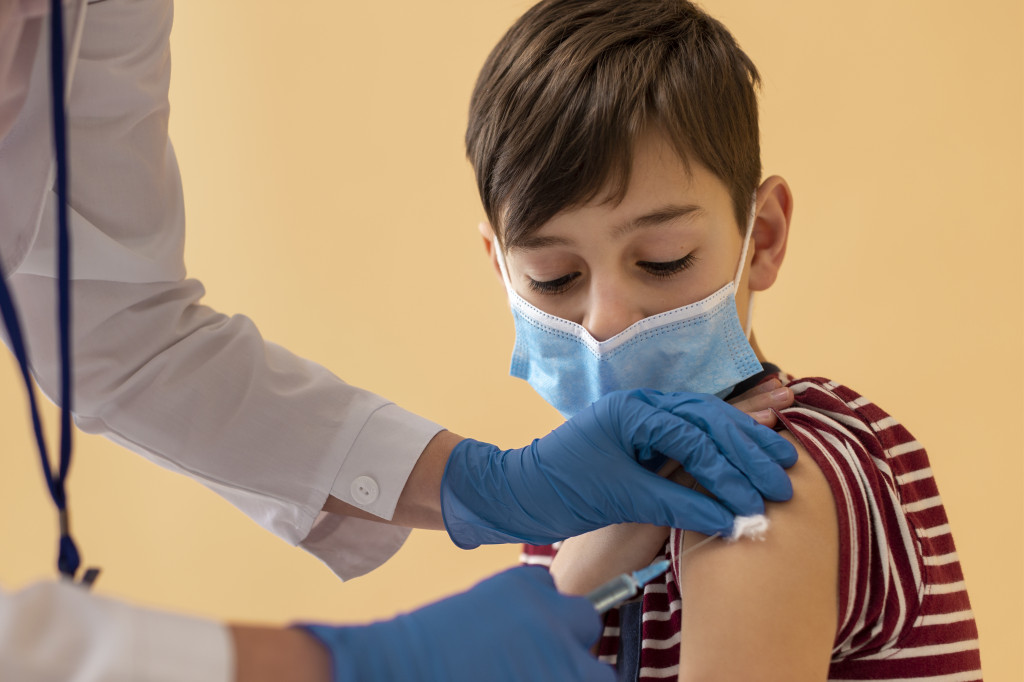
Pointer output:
x,y
513,627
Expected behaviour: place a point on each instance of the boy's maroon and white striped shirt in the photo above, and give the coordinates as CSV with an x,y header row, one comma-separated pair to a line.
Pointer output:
x,y
905,613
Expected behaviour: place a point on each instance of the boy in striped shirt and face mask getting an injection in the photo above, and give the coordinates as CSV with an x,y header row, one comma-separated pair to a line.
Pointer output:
x,y
617,154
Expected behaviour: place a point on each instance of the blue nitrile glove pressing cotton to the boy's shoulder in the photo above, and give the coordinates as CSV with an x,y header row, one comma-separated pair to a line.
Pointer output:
x,y
595,471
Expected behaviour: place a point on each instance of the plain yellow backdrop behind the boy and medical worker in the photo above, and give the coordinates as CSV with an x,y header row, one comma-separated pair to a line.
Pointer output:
x,y
329,200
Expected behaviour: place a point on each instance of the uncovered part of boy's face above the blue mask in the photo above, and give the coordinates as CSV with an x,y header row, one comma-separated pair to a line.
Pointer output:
x,y
671,242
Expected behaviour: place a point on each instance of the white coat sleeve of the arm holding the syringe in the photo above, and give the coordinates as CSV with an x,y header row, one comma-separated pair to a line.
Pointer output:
x,y
53,632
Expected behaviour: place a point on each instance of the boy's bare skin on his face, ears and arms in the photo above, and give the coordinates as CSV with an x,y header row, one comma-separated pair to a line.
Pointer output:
x,y
755,611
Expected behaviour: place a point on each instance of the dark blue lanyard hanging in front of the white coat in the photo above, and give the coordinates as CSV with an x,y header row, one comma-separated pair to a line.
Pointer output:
x,y
68,558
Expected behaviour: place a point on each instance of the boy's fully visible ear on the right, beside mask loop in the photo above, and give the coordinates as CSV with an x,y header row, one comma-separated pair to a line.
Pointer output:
x,y
772,232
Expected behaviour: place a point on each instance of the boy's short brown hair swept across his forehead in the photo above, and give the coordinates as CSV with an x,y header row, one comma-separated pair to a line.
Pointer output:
x,y
568,91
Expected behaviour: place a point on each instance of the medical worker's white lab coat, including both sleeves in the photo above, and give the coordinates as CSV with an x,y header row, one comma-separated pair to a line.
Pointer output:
x,y
189,389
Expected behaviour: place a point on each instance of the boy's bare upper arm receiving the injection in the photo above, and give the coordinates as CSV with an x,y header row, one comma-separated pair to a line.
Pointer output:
x,y
766,611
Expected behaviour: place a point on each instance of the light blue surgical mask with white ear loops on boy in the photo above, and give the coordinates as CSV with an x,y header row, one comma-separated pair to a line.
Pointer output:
x,y
700,348
